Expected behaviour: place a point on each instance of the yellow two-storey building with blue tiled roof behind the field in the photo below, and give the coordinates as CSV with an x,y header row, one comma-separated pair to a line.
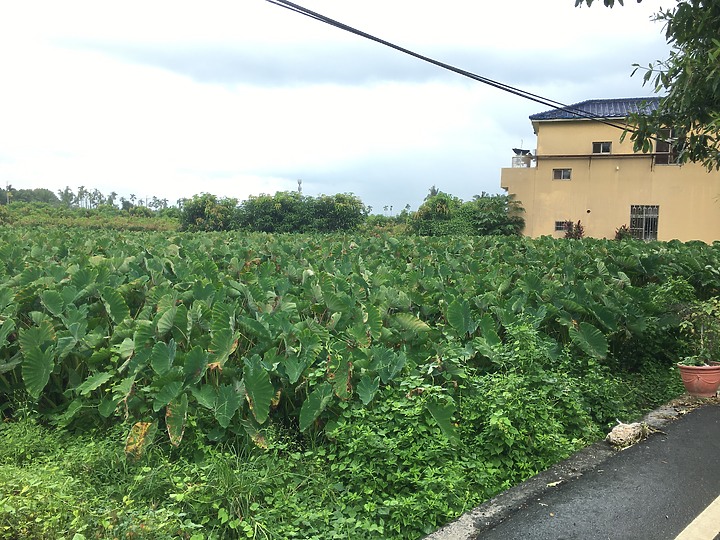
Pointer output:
x,y
582,172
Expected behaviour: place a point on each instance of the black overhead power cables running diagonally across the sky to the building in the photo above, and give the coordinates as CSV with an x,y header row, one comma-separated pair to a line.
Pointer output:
x,y
495,84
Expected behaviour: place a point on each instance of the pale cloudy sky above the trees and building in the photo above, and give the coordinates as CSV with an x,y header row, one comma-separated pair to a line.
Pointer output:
x,y
173,98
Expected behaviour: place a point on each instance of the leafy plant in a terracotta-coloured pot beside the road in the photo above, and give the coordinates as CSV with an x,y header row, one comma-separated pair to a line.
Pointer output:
x,y
700,372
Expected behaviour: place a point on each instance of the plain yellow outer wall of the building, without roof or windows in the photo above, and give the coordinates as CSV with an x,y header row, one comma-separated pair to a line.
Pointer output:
x,y
602,188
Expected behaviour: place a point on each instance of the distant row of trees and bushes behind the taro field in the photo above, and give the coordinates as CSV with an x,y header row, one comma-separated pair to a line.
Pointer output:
x,y
285,212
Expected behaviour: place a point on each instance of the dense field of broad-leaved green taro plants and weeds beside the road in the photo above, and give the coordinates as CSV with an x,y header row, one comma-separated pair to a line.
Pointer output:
x,y
275,386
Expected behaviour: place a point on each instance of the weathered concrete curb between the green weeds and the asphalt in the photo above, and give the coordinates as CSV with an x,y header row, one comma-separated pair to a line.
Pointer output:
x,y
489,514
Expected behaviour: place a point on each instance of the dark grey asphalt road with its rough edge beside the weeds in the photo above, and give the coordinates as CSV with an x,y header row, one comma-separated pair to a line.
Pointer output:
x,y
650,491
